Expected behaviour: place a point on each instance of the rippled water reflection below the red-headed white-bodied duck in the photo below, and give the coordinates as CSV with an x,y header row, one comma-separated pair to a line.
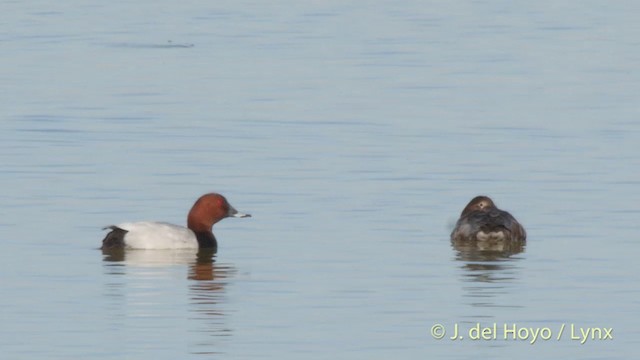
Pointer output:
x,y
139,280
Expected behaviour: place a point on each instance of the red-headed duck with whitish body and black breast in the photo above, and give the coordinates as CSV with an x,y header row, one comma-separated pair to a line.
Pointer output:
x,y
206,211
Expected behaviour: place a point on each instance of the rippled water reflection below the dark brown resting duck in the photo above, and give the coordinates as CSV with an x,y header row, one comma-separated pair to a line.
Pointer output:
x,y
488,269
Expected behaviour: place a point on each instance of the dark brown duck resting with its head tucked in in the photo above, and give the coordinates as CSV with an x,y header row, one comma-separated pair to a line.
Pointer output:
x,y
482,221
